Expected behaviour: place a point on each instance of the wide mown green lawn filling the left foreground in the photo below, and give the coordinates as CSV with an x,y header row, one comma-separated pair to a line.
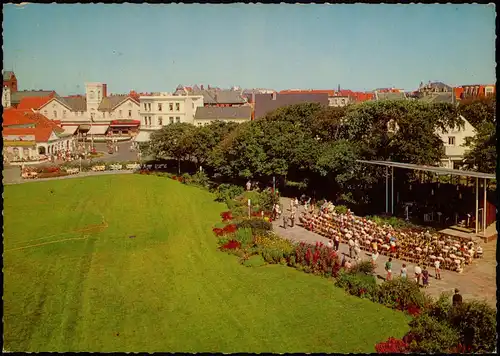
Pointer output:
x,y
74,280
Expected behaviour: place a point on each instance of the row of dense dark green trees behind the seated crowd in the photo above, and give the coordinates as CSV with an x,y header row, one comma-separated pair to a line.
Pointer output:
x,y
319,146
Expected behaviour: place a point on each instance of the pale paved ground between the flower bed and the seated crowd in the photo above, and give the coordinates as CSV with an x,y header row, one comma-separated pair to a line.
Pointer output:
x,y
478,280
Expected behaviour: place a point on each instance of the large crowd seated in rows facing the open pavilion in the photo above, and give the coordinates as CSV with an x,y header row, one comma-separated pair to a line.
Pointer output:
x,y
419,247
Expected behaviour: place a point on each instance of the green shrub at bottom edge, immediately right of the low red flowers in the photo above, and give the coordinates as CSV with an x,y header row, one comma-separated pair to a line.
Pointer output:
x,y
428,335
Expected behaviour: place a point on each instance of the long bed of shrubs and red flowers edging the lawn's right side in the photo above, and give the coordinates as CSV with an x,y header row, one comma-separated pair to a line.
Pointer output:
x,y
435,325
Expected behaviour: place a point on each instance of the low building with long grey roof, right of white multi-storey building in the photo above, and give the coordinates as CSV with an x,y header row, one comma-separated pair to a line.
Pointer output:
x,y
238,114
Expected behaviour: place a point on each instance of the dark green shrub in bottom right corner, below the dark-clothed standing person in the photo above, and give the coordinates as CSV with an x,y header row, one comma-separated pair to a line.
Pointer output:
x,y
476,323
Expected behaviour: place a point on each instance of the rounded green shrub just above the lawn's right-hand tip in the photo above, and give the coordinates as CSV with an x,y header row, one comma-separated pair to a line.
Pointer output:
x,y
403,294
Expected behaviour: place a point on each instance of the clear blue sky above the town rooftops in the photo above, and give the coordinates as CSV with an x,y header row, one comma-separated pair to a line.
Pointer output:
x,y
156,47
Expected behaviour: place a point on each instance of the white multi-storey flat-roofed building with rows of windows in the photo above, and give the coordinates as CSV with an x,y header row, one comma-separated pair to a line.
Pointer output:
x,y
162,109
